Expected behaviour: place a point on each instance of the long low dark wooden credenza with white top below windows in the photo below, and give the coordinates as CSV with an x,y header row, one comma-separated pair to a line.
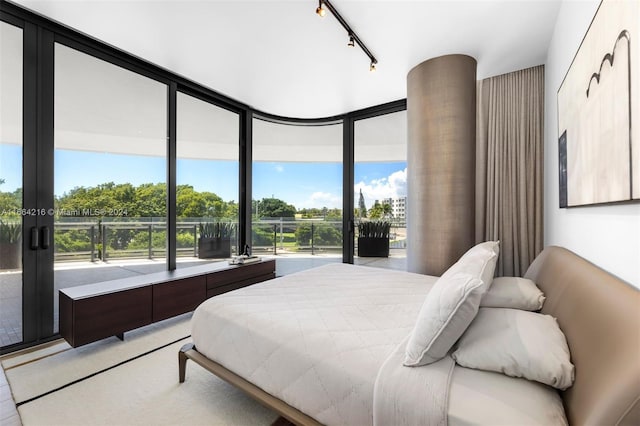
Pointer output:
x,y
95,311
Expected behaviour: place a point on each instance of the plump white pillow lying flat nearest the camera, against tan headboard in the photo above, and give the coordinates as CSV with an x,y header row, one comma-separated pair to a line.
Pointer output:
x,y
518,344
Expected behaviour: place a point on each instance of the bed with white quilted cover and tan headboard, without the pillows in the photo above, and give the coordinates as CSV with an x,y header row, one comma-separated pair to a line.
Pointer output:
x,y
315,346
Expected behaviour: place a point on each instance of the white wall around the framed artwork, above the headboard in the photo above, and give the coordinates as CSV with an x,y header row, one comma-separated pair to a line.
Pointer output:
x,y
609,235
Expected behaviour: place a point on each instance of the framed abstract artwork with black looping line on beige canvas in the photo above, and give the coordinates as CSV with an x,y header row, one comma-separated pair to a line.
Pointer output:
x,y
598,111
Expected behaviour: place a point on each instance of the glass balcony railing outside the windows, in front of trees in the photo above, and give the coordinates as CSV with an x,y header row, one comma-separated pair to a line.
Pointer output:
x,y
103,240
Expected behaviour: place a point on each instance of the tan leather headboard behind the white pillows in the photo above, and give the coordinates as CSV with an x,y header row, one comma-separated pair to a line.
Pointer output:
x,y
600,316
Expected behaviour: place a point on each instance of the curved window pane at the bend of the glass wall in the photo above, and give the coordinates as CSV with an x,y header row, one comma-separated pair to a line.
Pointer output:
x,y
297,188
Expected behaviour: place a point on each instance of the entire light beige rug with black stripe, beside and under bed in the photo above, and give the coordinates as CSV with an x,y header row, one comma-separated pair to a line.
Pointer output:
x,y
130,382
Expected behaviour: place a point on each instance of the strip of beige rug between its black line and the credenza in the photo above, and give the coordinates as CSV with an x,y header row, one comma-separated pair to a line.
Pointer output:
x,y
42,371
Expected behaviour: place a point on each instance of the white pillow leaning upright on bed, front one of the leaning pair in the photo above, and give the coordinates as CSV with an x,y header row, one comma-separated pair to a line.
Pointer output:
x,y
446,313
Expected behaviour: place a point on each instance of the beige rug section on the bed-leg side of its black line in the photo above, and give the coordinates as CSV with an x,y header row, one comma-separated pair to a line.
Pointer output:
x,y
146,392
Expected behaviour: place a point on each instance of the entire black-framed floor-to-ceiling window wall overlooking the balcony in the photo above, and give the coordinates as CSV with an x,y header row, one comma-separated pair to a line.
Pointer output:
x,y
98,153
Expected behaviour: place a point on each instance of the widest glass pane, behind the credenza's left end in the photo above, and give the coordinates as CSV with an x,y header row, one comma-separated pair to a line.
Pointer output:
x,y
110,168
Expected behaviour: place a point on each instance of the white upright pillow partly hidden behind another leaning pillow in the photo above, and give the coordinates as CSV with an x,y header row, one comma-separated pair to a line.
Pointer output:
x,y
479,261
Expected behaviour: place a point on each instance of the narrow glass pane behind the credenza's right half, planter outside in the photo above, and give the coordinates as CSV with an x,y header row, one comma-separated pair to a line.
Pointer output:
x,y
207,181
